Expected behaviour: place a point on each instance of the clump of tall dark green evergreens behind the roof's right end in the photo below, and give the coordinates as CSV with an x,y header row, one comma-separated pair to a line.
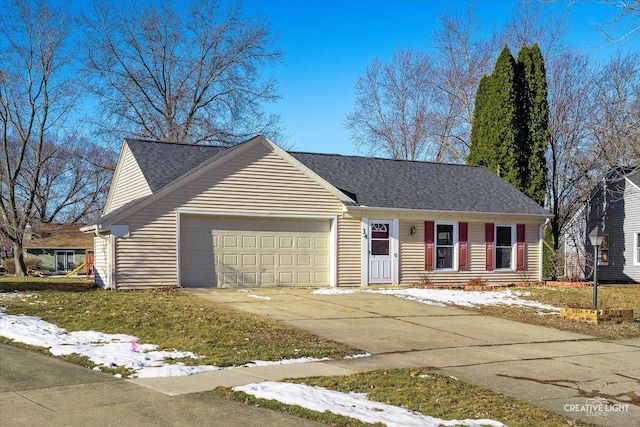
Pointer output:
x,y
510,133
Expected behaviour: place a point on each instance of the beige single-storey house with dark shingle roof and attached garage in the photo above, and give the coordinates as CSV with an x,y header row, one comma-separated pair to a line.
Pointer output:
x,y
256,215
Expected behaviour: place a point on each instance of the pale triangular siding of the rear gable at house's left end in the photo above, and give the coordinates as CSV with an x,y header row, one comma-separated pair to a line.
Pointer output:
x,y
129,183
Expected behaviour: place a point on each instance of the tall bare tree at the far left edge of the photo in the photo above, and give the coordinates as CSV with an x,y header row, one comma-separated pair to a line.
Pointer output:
x,y
36,95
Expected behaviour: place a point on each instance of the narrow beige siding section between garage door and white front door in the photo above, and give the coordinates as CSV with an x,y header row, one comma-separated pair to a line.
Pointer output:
x,y
349,251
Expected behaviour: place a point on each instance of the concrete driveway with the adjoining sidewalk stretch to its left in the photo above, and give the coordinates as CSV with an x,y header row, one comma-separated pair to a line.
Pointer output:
x,y
557,370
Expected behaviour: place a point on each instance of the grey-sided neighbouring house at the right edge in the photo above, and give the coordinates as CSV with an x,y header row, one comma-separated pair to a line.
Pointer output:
x,y
612,210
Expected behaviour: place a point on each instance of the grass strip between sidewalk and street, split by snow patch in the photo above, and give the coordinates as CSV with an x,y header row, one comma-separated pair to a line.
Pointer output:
x,y
417,390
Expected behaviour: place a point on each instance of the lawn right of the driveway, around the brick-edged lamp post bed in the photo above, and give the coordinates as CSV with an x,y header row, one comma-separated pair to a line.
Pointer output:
x,y
609,296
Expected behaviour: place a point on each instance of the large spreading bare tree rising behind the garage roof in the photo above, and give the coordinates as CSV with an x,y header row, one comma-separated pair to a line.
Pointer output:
x,y
191,75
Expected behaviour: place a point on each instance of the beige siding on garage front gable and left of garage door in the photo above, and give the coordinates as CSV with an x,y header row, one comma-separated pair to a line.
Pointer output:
x,y
259,181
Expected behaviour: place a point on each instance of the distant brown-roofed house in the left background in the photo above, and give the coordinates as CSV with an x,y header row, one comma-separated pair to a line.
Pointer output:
x,y
59,247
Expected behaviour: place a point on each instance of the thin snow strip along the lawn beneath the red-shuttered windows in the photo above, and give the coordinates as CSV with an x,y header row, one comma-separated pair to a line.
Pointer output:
x,y
443,297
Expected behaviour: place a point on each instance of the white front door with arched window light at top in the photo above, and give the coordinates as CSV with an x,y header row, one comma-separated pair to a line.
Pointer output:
x,y
380,253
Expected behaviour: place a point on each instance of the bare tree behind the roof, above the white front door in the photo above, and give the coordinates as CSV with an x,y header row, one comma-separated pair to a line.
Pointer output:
x,y
392,110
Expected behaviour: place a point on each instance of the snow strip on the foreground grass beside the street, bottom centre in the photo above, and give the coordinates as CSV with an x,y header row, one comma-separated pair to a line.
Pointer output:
x,y
354,405
